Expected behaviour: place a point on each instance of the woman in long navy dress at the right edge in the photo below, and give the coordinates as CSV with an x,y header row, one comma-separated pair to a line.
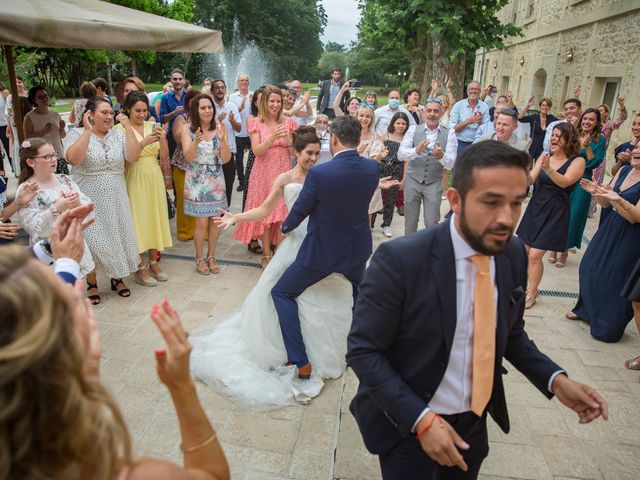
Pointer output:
x,y
611,256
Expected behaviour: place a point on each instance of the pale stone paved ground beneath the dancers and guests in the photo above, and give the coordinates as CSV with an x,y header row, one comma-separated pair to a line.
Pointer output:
x,y
321,440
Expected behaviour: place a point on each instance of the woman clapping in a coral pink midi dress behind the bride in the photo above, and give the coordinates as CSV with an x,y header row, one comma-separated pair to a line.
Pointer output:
x,y
270,134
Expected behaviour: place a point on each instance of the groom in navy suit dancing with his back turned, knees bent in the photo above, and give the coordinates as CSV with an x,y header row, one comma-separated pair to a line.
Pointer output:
x,y
336,198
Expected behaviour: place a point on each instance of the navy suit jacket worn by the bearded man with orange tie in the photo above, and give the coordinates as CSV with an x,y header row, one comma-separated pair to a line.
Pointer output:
x,y
403,328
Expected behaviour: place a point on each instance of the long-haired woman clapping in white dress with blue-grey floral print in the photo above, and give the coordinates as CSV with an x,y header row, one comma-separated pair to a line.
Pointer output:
x,y
205,147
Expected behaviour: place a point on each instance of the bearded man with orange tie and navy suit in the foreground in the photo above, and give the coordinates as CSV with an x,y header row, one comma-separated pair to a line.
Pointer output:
x,y
436,313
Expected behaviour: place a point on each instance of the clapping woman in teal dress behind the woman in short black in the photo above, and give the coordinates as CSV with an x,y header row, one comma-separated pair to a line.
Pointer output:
x,y
593,151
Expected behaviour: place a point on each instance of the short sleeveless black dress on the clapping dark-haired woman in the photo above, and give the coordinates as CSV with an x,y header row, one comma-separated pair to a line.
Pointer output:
x,y
545,223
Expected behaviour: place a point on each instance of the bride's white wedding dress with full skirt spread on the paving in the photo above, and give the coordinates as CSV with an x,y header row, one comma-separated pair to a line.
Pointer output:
x,y
243,356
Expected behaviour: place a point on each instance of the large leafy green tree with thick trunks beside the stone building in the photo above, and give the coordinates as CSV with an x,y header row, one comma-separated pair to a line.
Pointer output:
x,y
435,35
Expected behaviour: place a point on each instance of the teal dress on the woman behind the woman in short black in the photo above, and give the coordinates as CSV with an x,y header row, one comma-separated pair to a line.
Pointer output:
x,y
580,199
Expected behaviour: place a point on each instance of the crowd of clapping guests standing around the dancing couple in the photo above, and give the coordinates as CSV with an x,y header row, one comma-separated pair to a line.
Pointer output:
x,y
148,155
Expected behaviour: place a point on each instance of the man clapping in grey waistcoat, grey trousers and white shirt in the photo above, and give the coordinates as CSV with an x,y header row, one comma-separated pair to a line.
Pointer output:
x,y
428,148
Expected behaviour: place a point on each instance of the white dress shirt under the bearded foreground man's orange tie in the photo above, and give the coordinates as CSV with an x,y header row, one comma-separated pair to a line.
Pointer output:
x,y
453,395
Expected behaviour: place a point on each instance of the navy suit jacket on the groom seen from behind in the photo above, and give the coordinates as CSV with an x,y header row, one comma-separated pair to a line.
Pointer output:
x,y
336,197
